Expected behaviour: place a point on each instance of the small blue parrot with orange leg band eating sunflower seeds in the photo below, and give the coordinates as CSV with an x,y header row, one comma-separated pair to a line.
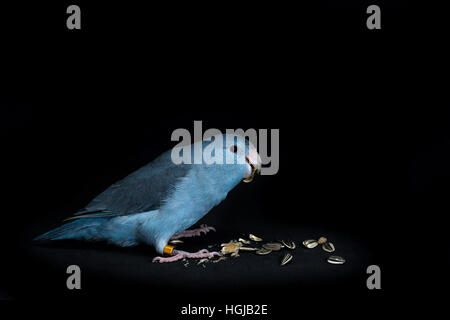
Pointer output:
x,y
161,200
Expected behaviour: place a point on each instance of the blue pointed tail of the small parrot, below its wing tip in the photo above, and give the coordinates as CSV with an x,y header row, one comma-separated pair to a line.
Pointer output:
x,y
78,229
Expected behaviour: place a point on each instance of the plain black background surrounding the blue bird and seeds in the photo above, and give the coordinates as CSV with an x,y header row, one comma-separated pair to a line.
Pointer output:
x,y
363,153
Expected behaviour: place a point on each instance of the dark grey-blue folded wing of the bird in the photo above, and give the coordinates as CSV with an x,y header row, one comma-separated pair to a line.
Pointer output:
x,y
141,191
